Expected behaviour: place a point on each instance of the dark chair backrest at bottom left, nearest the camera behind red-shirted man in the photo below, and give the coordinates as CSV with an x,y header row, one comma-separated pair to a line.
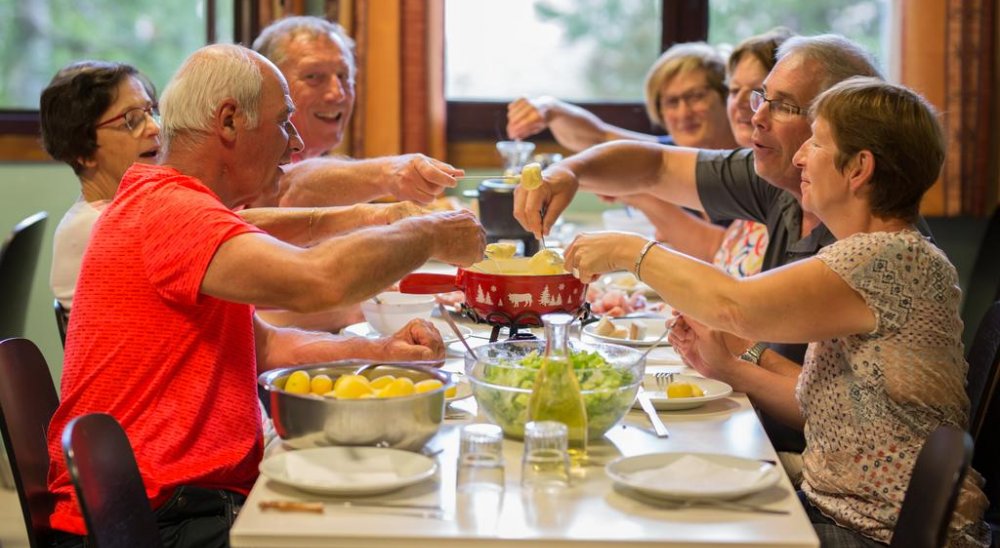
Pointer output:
x,y
108,486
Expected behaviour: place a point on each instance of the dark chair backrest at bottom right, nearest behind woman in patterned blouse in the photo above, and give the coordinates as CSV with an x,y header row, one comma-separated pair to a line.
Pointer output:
x,y
930,497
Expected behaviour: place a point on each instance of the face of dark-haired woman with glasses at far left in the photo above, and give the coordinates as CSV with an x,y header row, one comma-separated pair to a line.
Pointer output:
x,y
127,134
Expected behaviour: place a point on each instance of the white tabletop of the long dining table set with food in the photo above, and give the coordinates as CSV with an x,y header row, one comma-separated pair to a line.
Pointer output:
x,y
592,511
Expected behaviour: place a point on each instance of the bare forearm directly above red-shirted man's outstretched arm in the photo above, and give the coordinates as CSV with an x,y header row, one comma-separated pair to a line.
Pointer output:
x,y
306,226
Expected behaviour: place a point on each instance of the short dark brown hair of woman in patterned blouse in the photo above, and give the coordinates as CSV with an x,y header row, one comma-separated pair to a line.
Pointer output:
x,y
900,129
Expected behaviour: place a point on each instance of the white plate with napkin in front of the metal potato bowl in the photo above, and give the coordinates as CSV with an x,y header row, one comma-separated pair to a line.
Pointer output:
x,y
348,470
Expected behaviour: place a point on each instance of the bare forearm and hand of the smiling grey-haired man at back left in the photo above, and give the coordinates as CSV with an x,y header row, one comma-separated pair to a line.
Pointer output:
x,y
339,181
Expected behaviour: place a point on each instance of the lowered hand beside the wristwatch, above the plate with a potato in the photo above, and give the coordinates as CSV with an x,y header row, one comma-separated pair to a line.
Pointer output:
x,y
703,349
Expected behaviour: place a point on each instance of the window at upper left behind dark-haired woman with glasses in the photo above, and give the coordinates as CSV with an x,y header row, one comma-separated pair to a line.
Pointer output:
x,y
41,36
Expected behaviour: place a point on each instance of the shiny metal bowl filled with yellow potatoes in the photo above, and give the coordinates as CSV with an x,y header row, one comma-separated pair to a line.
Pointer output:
x,y
406,422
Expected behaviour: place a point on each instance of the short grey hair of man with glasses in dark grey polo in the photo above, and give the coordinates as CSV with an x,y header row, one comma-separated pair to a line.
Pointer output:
x,y
839,57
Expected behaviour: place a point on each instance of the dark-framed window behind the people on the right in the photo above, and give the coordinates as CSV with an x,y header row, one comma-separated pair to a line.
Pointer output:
x,y
596,52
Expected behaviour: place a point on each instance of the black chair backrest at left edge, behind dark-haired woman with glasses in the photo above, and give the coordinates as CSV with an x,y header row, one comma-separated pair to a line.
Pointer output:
x,y
18,259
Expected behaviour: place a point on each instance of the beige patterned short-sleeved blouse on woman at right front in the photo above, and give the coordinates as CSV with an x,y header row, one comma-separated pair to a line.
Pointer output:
x,y
871,400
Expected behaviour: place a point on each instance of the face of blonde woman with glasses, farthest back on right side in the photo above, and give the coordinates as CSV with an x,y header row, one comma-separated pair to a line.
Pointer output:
x,y
693,112
